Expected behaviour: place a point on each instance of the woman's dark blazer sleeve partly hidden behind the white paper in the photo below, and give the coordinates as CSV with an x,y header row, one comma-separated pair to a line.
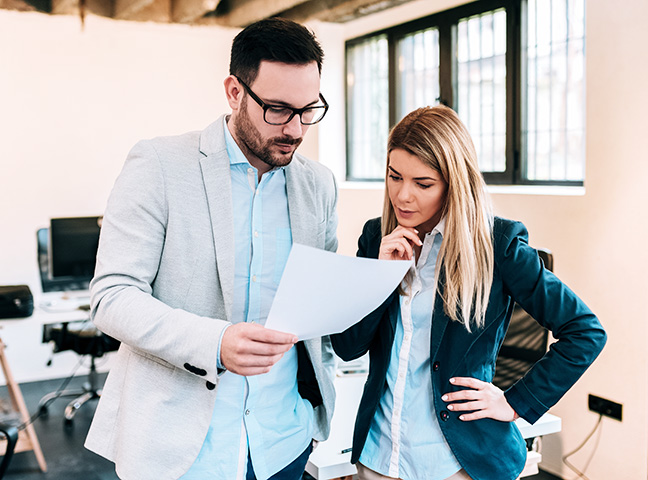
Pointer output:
x,y
355,340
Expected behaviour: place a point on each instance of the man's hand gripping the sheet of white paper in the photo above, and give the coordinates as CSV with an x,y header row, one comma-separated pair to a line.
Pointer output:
x,y
251,349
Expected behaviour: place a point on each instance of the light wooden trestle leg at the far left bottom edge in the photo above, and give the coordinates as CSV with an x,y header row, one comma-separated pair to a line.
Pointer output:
x,y
27,439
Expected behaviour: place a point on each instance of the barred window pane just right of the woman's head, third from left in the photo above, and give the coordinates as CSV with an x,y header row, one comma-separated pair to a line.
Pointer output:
x,y
481,85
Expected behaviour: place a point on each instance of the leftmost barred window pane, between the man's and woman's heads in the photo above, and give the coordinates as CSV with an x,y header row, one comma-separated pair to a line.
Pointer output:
x,y
367,107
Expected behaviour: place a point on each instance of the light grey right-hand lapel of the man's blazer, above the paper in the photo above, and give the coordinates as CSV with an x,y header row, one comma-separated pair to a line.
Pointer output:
x,y
301,209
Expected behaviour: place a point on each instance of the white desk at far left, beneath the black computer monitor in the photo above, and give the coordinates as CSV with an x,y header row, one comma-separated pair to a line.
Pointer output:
x,y
28,356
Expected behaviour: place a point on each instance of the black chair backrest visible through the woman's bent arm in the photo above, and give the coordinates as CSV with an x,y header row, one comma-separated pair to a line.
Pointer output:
x,y
525,342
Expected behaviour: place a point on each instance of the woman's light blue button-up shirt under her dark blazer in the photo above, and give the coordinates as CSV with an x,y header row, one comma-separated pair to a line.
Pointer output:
x,y
405,440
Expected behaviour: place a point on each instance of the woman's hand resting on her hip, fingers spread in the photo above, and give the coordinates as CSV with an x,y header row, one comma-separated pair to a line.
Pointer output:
x,y
481,400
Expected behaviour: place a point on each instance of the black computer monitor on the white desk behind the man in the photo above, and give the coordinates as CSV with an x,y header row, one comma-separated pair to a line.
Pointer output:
x,y
72,251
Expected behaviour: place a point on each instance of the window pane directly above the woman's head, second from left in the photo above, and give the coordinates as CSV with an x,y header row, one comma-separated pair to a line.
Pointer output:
x,y
418,71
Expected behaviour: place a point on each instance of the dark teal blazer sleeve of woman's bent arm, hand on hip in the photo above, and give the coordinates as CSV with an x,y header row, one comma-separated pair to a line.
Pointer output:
x,y
579,334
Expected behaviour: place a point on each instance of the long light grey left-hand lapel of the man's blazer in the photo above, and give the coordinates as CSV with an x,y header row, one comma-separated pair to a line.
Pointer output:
x,y
215,167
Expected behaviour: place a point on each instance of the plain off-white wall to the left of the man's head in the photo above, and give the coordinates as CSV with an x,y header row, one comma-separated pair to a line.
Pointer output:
x,y
74,102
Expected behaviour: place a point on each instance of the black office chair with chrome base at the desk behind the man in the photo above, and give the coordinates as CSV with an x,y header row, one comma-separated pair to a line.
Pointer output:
x,y
81,337
